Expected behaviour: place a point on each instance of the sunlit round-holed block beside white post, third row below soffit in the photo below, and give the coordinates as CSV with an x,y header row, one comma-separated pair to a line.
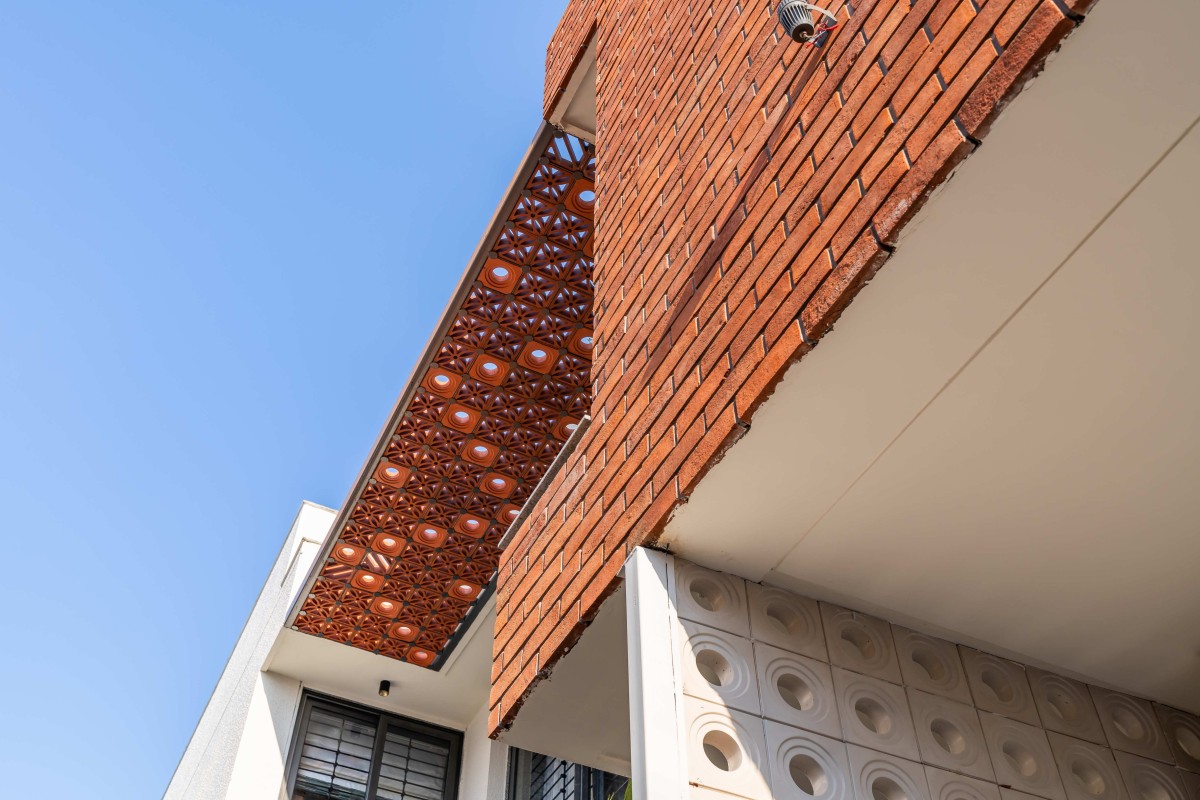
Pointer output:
x,y
727,750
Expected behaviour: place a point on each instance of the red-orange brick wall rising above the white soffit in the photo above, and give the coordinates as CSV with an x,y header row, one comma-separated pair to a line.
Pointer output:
x,y
747,190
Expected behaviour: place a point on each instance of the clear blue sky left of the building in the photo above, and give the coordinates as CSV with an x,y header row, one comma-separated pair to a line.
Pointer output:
x,y
227,230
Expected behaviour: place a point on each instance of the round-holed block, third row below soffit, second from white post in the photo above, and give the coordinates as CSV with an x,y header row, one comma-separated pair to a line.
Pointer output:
x,y
806,766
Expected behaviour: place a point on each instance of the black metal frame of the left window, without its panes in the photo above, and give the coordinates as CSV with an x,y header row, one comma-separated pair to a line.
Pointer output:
x,y
382,721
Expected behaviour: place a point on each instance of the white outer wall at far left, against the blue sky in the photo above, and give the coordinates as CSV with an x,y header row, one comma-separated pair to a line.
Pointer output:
x,y
241,745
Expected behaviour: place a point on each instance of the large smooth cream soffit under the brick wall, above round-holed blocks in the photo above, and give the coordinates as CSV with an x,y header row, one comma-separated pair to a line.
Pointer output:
x,y
1000,441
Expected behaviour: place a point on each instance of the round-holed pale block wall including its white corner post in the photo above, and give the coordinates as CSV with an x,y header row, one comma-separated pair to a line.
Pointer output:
x,y
771,695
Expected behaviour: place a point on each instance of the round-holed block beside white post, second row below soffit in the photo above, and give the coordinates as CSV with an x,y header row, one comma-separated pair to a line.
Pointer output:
x,y
718,667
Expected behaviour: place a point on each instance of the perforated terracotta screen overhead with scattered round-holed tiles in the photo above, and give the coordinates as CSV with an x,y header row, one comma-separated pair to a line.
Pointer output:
x,y
493,407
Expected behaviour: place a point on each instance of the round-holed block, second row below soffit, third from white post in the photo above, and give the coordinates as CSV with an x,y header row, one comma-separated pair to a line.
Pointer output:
x,y
875,714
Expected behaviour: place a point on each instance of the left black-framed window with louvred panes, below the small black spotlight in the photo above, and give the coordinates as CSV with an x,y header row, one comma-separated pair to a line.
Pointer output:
x,y
346,753
